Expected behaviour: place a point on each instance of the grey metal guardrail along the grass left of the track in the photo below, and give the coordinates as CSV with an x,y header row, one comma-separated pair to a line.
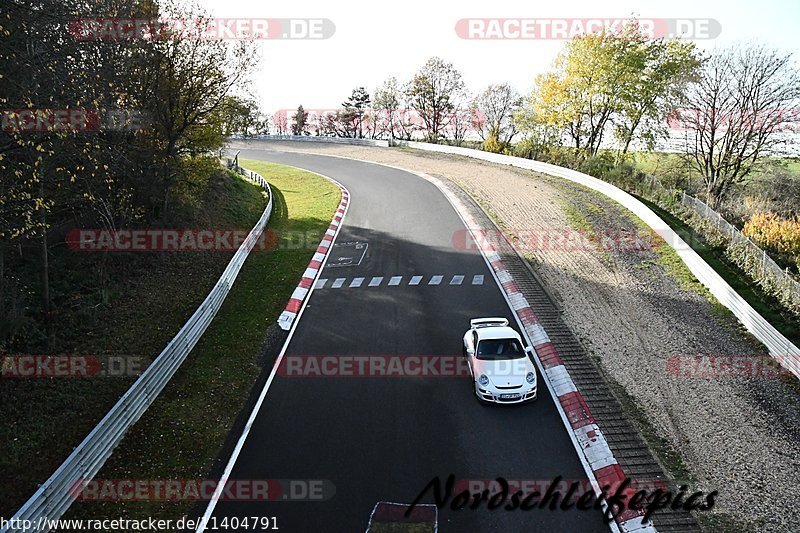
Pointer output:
x,y
54,497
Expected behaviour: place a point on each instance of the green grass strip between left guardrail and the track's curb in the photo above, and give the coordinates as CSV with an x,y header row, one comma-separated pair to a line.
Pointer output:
x,y
184,430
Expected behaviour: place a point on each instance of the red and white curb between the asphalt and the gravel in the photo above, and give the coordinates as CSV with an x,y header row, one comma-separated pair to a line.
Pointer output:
x,y
590,439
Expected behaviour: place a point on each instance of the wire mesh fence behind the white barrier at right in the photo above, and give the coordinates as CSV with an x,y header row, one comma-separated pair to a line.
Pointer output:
x,y
755,261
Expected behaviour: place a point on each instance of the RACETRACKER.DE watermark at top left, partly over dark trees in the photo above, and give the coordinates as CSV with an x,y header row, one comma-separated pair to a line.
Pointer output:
x,y
235,29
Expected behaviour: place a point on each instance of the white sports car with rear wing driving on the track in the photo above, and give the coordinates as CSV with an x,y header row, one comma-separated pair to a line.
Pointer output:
x,y
499,362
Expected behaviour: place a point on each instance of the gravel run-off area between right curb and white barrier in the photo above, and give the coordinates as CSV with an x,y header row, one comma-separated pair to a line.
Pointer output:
x,y
630,310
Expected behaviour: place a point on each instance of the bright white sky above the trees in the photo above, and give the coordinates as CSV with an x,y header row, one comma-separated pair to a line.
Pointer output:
x,y
374,40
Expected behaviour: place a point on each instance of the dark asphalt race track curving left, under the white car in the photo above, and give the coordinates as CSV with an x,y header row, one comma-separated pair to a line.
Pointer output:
x,y
380,438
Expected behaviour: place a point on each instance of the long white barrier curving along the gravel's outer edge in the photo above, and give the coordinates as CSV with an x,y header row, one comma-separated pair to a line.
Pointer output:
x,y
779,346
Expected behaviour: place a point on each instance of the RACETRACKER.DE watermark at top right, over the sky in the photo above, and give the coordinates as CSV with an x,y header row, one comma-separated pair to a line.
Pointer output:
x,y
569,28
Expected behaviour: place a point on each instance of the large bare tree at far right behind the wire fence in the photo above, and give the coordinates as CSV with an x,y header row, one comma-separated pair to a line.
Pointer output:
x,y
746,97
